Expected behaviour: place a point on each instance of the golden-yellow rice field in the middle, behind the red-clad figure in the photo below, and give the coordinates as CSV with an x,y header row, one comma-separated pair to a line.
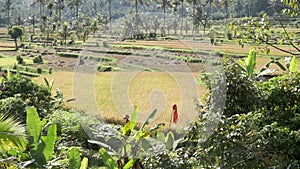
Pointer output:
x,y
144,88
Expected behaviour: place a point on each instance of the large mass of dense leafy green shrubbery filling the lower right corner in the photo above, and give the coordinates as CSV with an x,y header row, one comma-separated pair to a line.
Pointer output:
x,y
264,135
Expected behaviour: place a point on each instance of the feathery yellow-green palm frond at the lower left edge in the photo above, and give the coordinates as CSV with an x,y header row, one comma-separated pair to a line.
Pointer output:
x,y
12,134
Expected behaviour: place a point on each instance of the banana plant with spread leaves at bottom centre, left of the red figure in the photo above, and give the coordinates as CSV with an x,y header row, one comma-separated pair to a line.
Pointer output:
x,y
133,142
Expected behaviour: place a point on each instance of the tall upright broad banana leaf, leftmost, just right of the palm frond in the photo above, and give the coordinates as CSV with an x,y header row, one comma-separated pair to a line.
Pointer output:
x,y
34,127
